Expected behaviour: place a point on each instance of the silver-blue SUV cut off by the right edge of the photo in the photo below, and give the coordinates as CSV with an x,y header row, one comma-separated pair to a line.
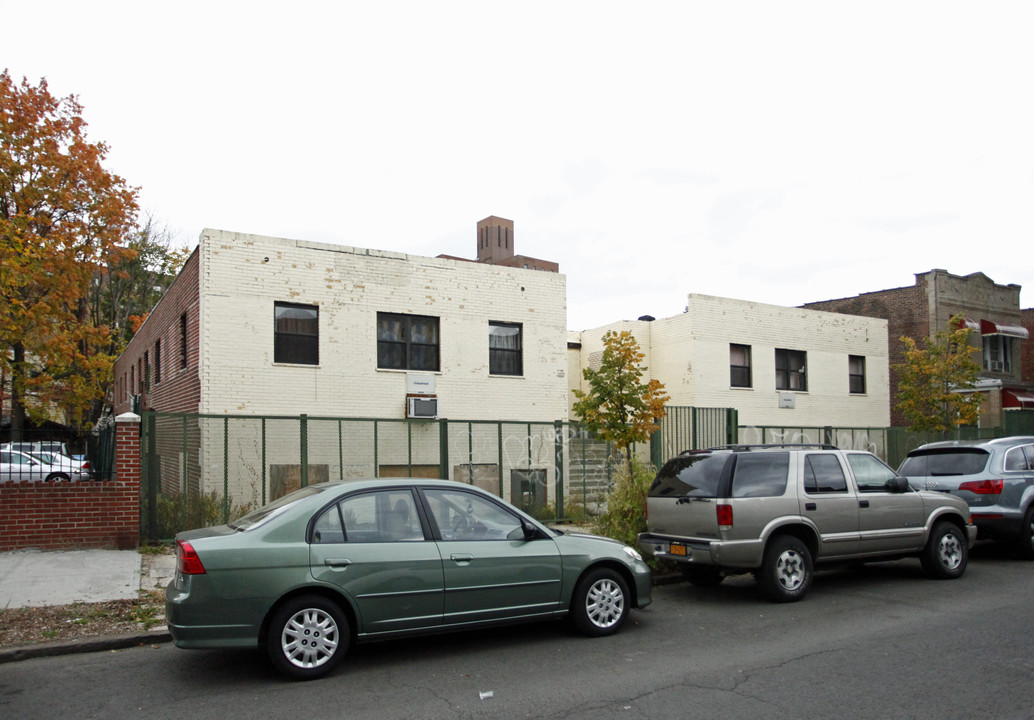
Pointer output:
x,y
996,477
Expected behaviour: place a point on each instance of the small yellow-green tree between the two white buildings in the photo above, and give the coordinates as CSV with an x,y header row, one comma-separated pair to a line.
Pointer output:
x,y
619,408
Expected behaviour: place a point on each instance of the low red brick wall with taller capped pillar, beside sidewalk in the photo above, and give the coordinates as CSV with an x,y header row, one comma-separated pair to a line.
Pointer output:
x,y
76,516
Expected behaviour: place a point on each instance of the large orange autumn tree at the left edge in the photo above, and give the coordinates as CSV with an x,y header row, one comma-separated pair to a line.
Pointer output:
x,y
62,219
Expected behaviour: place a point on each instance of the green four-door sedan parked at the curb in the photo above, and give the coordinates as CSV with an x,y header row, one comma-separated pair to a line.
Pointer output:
x,y
339,563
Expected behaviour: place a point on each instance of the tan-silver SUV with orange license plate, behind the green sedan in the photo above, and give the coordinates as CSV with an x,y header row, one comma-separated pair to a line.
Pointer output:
x,y
778,511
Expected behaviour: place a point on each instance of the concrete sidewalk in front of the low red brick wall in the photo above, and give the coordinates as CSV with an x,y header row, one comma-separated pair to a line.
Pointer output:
x,y
34,579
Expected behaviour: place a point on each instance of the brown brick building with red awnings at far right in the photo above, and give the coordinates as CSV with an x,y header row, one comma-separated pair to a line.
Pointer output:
x,y
924,310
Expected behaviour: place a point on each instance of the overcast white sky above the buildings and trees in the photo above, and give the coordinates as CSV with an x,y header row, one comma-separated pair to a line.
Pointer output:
x,y
778,153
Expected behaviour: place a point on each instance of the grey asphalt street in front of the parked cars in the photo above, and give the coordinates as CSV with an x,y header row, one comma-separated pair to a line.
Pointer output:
x,y
880,642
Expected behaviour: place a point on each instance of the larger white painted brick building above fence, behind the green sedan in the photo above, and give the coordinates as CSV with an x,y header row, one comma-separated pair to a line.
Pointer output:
x,y
244,280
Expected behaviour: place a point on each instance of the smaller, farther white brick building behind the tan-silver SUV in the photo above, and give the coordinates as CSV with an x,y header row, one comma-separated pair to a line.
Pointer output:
x,y
778,367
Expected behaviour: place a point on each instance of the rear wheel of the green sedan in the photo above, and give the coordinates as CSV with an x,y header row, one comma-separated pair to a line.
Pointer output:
x,y
309,637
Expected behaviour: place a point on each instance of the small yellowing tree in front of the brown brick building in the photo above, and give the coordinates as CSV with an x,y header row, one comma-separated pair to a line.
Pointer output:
x,y
937,380
